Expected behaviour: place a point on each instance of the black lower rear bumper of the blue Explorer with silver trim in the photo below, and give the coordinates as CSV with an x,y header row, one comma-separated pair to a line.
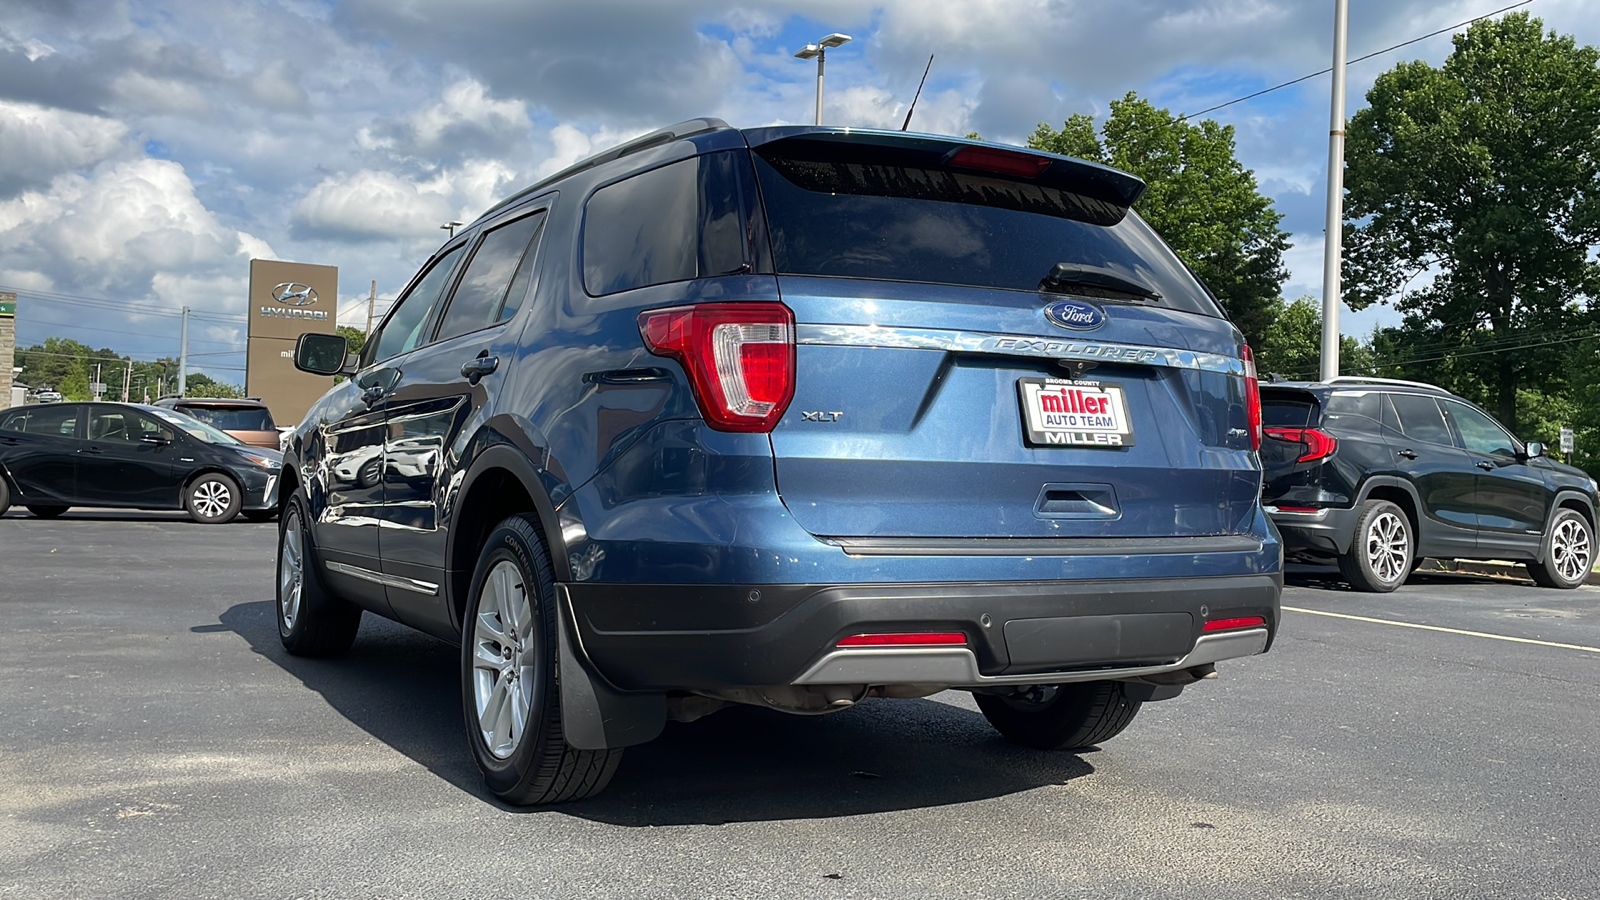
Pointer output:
x,y
721,637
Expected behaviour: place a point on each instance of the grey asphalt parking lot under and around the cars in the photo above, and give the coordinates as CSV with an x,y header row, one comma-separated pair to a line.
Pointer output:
x,y
158,742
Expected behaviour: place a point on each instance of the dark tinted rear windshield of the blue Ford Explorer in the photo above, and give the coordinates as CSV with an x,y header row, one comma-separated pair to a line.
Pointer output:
x,y
860,212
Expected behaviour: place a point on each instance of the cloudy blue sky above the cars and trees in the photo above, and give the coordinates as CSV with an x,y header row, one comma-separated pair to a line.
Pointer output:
x,y
151,148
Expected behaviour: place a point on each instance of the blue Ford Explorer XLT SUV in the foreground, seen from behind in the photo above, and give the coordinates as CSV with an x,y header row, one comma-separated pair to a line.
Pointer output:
x,y
793,419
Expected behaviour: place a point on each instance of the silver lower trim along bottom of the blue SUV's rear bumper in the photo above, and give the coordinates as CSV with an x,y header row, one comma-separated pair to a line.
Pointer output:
x,y
958,667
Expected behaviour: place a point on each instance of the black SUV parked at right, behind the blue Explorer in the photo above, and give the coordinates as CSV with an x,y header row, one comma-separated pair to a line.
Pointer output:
x,y
1382,475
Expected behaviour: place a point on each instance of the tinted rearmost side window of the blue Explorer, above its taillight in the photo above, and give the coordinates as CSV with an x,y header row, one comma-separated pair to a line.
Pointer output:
x,y
668,225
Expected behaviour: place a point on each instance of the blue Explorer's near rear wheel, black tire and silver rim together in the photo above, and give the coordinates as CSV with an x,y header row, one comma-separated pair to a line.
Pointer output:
x,y
513,657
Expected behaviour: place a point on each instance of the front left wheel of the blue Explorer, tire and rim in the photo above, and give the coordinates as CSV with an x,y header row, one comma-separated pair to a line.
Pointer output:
x,y
316,622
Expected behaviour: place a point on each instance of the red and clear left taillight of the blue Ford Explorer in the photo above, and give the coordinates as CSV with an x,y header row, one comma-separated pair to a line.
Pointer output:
x,y
740,358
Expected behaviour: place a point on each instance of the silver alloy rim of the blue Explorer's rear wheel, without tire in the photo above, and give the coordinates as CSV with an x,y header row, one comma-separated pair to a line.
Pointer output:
x,y
505,661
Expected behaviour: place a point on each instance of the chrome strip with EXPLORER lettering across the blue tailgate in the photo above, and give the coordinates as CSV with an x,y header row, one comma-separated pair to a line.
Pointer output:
x,y
1014,345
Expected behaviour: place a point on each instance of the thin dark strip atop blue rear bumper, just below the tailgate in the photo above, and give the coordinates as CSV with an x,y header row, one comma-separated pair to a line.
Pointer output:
x,y
1047,547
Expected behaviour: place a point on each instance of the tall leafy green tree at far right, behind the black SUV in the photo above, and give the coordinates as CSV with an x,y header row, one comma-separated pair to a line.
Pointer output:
x,y
1487,174
